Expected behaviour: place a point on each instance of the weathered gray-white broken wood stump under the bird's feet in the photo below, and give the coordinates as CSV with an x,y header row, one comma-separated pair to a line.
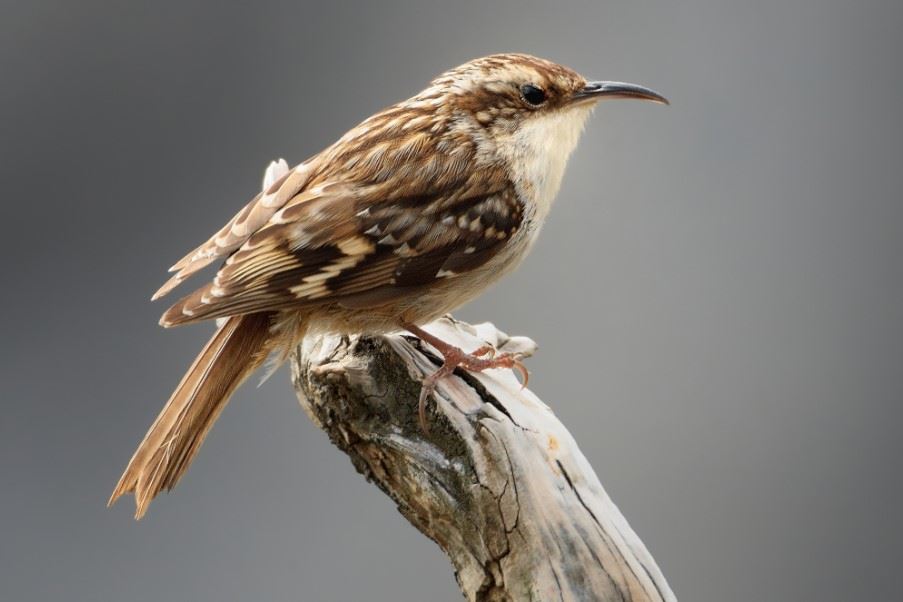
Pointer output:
x,y
497,482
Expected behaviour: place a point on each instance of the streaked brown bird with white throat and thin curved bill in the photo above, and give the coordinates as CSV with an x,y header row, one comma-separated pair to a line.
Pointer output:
x,y
406,217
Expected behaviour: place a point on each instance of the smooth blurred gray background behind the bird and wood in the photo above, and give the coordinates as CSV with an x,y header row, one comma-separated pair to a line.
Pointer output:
x,y
718,294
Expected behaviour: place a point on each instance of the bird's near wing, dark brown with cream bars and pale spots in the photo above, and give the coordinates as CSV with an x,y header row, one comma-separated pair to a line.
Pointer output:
x,y
339,241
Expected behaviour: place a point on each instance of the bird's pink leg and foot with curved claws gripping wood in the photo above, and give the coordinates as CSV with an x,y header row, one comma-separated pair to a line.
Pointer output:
x,y
453,357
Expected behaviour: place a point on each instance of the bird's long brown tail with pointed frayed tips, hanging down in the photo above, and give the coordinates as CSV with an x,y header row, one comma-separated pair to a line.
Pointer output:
x,y
239,346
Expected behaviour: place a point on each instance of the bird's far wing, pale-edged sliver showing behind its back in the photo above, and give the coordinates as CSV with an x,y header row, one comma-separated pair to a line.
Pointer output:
x,y
280,185
